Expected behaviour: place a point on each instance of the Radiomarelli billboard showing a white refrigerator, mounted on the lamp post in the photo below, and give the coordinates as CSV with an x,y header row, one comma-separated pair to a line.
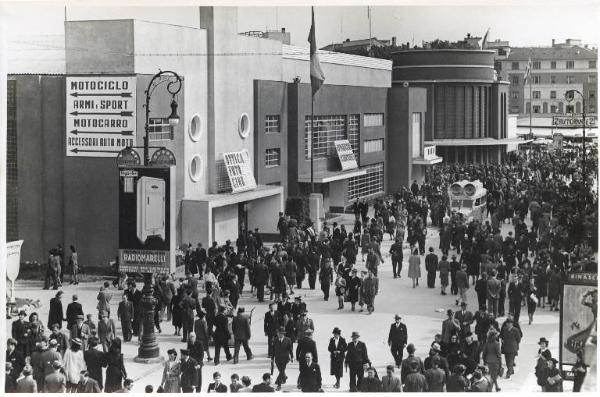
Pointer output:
x,y
146,219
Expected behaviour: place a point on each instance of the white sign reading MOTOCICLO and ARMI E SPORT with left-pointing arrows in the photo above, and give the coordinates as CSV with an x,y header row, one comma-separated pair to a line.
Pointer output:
x,y
101,117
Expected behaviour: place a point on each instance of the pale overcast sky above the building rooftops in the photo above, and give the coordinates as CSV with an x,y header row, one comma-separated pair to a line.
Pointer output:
x,y
533,24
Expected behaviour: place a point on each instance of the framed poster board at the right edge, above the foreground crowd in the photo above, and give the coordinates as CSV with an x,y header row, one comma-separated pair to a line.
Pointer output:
x,y
578,318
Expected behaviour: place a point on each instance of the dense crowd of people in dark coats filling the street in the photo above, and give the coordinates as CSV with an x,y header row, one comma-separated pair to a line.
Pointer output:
x,y
553,217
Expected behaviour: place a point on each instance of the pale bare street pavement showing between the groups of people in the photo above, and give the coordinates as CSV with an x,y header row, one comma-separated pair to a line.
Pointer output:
x,y
422,310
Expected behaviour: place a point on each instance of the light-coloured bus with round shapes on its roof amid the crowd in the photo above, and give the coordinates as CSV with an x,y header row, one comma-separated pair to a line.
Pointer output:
x,y
469,199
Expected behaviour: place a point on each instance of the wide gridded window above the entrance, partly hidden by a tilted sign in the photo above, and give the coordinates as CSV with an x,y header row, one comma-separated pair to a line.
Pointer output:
x,y
327,129
